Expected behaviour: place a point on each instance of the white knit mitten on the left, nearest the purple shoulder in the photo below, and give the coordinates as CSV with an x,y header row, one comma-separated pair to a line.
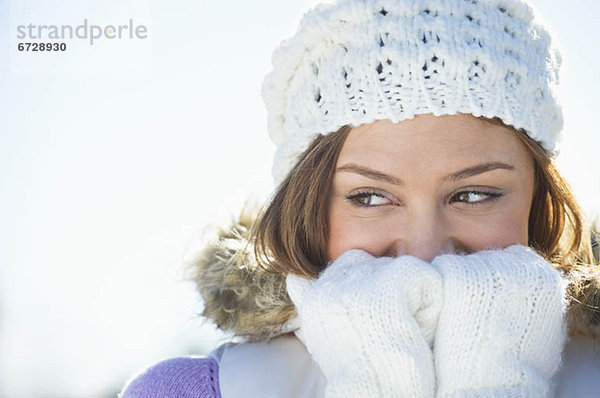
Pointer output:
x,y
368,323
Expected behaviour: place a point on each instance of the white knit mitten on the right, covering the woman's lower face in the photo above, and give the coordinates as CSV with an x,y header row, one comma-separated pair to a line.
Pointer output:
x,y
501,329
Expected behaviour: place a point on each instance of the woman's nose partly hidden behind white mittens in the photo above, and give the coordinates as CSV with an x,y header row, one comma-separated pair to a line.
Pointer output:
x,y
425,239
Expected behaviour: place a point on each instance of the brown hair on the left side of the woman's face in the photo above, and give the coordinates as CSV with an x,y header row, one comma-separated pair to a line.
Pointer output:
x,y
291,235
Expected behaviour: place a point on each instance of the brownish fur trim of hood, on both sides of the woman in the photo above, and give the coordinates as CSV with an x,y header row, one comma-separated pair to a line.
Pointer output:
x,y
252,303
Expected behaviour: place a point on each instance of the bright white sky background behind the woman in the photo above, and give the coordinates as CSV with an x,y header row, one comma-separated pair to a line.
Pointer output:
x,y
115,157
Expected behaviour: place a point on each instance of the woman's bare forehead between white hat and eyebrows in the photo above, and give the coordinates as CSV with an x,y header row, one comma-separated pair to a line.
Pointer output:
x,y
435,140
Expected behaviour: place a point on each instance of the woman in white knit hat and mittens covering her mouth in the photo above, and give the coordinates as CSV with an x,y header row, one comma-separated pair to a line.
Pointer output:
x,y
420,241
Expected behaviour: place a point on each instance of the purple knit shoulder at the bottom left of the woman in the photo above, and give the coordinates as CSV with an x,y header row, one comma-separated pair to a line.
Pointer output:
x,y
177,378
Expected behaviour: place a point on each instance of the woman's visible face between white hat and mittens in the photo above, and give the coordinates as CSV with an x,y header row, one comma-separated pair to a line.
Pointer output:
x,y
430,185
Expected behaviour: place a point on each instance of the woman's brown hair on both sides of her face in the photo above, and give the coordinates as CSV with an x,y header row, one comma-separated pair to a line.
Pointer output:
x,y
291,235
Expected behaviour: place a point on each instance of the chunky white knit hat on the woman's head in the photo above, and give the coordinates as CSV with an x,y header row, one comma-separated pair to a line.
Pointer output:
x,y
357,61
